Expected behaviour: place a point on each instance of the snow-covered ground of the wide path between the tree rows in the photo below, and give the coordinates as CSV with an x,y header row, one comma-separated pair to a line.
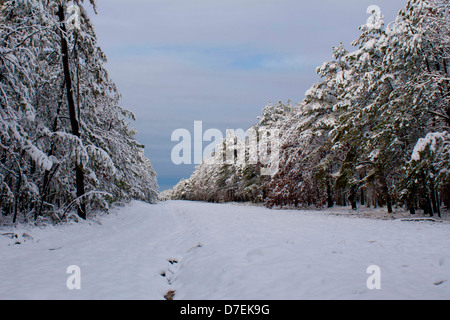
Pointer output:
x,y
226,251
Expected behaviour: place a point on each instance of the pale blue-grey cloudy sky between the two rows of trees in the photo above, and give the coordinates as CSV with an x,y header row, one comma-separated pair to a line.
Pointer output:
x,y
218,61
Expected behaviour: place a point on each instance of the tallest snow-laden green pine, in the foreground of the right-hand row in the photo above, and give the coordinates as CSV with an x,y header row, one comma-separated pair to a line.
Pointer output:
x,y
392,97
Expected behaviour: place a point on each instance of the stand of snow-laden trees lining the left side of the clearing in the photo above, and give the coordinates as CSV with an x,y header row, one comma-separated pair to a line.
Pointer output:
x,y
65,140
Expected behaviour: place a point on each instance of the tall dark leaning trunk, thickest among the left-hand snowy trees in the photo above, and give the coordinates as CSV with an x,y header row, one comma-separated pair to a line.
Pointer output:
x,y
72,111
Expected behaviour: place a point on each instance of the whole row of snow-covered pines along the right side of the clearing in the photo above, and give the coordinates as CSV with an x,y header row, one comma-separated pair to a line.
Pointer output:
x,y
374,131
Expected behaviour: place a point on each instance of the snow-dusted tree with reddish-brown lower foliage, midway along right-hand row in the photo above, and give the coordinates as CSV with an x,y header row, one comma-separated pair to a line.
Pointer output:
x,y
303,134
